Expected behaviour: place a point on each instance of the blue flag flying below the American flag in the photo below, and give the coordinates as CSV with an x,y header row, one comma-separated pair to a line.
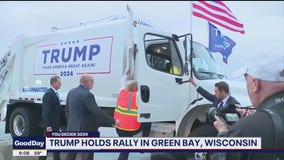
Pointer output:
x,y
220,43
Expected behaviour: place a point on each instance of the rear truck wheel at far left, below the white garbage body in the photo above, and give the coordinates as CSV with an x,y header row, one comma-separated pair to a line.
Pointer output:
x,y
20,122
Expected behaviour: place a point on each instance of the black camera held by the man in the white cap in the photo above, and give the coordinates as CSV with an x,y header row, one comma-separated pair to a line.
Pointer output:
x,y
228,113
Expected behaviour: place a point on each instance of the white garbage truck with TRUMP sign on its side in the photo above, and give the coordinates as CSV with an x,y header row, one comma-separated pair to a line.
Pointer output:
x,y
158,60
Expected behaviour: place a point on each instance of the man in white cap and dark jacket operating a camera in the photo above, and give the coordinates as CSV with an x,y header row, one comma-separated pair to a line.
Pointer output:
x,y
265,86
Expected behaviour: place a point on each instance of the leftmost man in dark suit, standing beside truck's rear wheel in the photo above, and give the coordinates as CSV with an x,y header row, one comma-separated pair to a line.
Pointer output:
x,y
52,111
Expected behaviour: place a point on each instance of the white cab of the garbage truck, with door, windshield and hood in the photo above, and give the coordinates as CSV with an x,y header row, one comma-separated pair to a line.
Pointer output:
x,y
168,61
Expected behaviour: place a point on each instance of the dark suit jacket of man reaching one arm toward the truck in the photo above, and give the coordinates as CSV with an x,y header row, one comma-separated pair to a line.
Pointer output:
x,y
212,98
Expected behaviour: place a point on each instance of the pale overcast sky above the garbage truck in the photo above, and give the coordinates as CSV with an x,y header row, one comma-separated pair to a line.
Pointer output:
x,y
263,22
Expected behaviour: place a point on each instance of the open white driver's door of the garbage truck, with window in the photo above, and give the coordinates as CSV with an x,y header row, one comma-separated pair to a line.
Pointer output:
x,y
158,67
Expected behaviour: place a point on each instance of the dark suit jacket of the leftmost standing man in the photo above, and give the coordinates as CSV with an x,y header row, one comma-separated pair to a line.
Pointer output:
x,y
51,110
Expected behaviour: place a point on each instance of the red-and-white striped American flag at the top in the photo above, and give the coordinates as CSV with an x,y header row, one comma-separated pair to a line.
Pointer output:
x,y
218,13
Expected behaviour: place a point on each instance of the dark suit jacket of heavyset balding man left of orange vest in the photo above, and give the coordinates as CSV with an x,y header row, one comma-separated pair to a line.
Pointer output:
x,y
82,111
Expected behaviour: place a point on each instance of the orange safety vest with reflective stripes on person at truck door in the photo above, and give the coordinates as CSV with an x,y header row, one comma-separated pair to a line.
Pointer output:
x,y
126,111
